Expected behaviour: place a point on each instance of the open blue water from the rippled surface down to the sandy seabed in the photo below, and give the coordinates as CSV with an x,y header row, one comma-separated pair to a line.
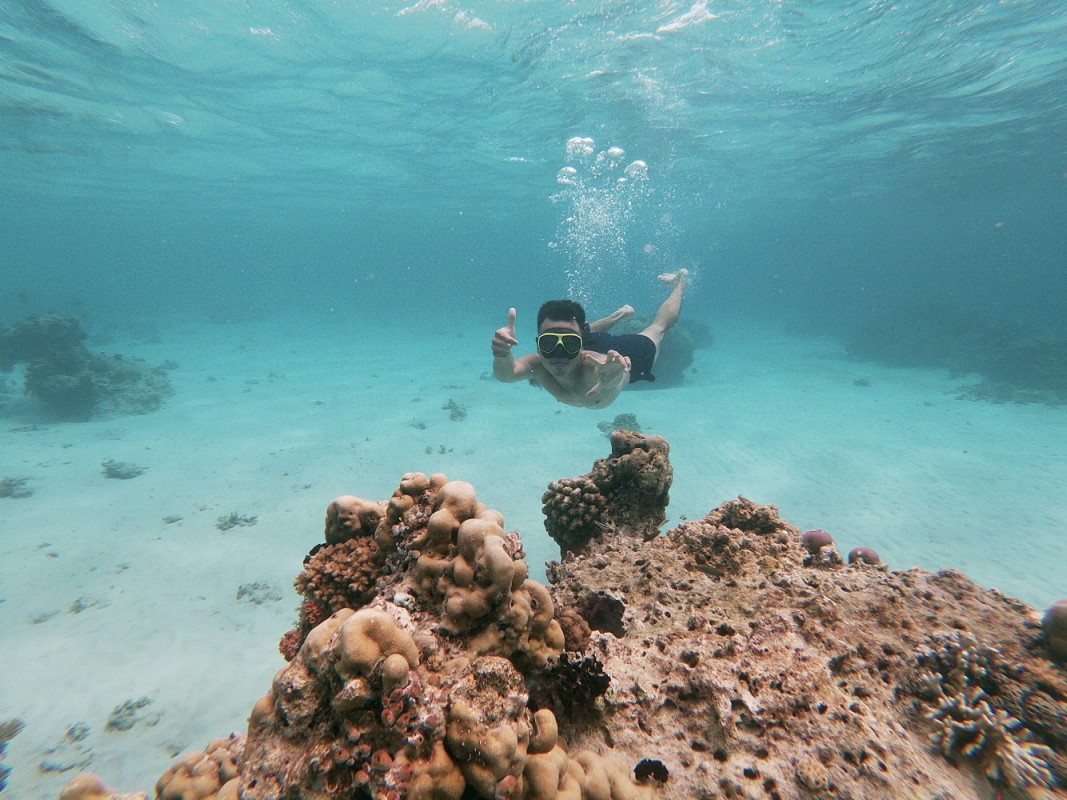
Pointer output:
x,y
810,161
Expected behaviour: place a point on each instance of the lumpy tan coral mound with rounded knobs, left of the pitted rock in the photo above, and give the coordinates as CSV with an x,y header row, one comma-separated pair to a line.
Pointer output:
x,y
416,684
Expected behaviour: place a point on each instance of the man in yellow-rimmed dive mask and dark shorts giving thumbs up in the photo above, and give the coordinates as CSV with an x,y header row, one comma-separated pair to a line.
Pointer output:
x,y
583,364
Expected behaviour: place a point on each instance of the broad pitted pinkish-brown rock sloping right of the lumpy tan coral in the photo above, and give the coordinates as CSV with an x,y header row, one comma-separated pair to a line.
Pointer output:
x,y
751,667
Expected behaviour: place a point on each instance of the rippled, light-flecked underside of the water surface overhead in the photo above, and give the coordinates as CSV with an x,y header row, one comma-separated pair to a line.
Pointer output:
x,y
327,102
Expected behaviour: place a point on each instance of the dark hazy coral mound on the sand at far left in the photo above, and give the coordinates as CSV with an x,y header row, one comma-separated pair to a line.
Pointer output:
x,y
73,383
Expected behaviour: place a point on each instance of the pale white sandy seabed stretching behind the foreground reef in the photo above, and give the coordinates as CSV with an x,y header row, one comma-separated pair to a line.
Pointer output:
x,y
275,421
